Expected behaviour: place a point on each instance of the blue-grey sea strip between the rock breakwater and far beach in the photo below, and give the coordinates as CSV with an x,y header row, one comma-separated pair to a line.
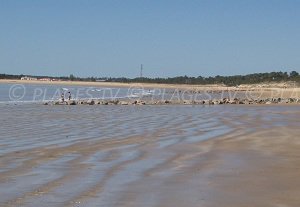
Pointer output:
x,y
29,93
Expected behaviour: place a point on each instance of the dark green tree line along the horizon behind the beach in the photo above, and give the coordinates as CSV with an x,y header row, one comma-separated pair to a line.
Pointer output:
x,y
226,80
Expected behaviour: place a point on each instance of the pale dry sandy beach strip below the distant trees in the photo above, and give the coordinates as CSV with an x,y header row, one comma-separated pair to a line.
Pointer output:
x,y
272,90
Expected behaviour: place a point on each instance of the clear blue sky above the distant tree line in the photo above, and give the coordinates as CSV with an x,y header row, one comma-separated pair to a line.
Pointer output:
x,y
169,37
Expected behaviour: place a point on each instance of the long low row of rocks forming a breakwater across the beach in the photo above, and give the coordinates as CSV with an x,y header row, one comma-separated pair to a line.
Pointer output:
x,y
178,102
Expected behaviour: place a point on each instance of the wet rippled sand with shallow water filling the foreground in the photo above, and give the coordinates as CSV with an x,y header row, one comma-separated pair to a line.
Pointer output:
x,y
150,156
